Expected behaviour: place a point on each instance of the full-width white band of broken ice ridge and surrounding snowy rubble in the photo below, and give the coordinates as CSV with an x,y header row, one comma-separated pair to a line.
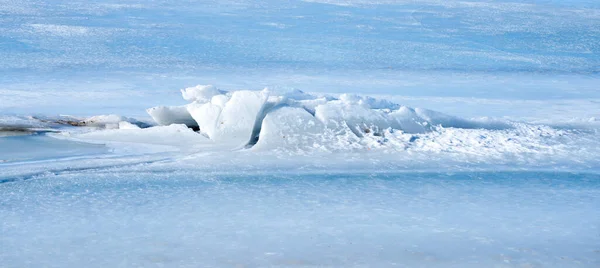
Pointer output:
x,y
296,123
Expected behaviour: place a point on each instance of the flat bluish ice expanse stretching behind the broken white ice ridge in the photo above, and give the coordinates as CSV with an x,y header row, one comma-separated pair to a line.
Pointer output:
x,y
75,52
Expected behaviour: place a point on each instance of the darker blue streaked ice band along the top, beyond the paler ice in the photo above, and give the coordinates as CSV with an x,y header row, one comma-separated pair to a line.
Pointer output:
x,y
542,36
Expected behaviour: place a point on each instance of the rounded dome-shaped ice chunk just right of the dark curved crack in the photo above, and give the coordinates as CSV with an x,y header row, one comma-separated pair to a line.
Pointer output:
x,y
289,127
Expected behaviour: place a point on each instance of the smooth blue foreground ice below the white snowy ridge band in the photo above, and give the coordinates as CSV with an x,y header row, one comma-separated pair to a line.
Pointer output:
x,y
140,217
